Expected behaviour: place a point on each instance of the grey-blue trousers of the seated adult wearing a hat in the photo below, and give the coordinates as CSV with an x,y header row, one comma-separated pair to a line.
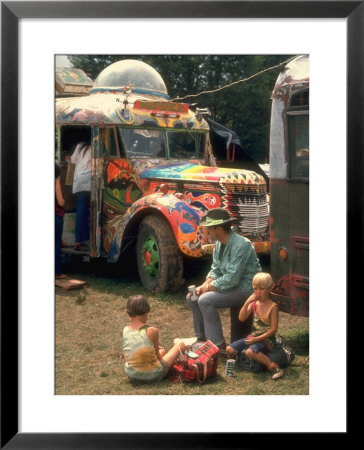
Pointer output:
x,y
206,318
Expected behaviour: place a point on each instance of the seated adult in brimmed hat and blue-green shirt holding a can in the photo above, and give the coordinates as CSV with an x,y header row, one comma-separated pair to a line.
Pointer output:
x,y
229,281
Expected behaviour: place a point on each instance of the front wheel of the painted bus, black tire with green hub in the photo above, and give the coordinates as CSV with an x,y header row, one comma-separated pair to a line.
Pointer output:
x,y
162,269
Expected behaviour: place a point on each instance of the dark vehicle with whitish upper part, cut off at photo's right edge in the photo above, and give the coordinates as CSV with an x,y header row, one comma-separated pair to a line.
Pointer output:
x,y
289,188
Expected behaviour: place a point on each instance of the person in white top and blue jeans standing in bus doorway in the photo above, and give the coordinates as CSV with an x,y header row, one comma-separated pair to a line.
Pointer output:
x,y
81,157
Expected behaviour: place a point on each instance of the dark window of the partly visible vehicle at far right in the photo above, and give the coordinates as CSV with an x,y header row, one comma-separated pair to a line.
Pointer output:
x,y
298,135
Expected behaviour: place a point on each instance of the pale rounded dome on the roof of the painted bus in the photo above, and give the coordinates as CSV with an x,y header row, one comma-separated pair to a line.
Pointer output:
x,y
141,76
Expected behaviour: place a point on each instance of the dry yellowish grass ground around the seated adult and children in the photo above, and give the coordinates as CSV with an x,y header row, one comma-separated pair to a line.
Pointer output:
x,y
89,325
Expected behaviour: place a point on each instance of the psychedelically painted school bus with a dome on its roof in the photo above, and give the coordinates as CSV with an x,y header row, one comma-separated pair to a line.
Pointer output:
x,y
153,176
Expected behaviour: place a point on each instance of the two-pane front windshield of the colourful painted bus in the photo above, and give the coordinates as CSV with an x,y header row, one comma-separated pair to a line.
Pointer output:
x,y
159,144
